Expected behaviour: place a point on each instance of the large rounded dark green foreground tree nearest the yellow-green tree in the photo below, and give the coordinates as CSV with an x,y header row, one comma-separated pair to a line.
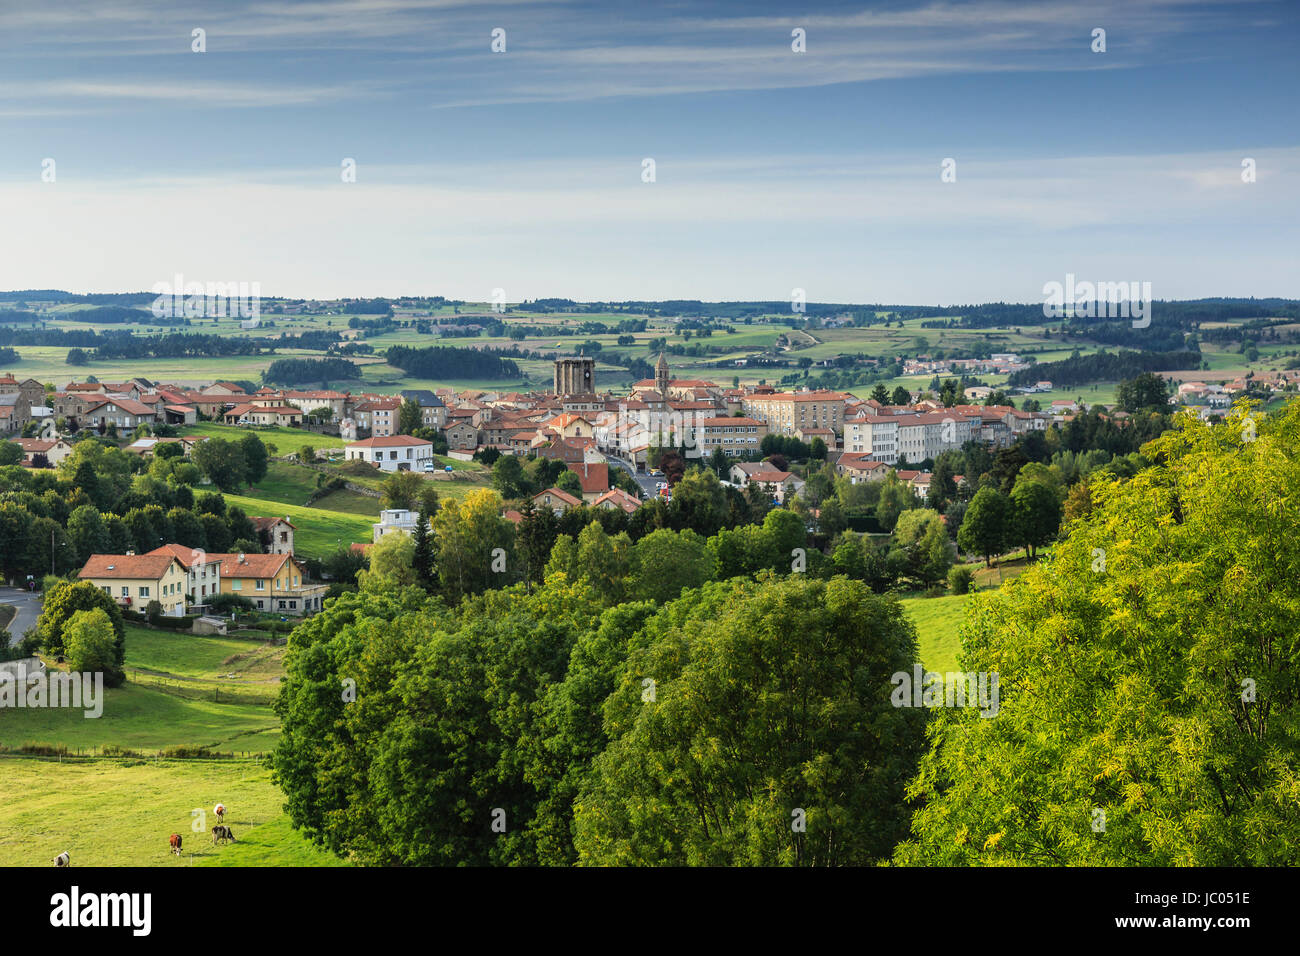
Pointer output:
x,y
748,772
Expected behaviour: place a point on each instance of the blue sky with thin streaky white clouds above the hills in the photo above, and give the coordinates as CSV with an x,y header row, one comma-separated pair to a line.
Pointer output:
x,y
128,158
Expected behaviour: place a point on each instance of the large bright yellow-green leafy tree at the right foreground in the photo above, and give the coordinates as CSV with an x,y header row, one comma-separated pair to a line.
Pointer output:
x,y
1147,673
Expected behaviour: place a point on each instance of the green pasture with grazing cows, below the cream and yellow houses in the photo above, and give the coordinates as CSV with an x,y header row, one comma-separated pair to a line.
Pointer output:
x,y
120,811
